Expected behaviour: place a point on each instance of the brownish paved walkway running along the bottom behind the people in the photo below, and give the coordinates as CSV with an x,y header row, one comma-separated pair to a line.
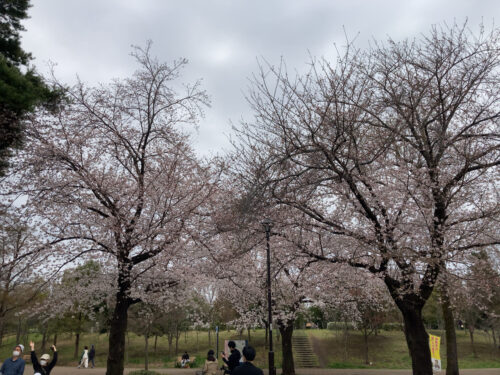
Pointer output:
x,y
172,371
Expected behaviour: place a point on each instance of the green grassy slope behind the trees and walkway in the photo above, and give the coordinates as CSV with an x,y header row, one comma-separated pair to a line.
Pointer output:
x,y
387,350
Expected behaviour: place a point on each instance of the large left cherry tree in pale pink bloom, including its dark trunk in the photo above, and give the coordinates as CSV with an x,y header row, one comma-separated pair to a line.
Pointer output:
x,y
113,176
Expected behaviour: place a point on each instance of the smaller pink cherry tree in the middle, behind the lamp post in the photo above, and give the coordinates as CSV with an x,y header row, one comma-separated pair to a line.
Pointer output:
x,y
298,281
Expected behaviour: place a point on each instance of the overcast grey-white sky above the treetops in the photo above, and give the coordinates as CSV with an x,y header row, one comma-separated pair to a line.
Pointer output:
x,y
223,38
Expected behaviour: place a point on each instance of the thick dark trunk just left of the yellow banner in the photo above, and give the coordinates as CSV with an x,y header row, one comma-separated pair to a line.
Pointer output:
x,y
416,337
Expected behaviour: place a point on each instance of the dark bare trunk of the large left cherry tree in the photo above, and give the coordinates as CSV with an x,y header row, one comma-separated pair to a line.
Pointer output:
x,y
118,328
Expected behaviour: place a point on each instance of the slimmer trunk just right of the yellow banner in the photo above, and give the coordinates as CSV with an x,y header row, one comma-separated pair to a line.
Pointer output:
x,y
451,335
